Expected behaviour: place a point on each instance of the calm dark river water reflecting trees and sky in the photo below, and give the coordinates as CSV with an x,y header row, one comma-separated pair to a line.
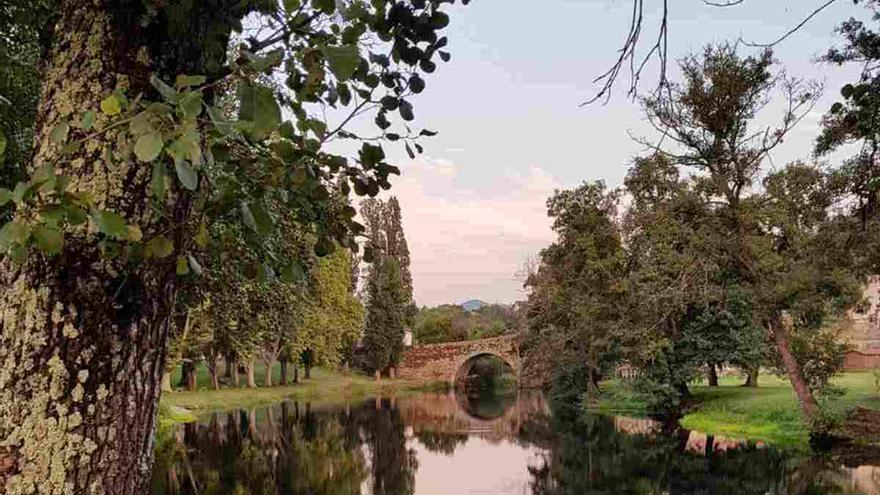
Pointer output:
x,y
447,444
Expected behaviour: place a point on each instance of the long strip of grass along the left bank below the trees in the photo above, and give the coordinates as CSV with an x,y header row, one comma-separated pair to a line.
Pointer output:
x,y
324,386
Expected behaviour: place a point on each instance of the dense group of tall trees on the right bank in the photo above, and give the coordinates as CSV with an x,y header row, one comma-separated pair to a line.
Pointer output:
x,y
709,256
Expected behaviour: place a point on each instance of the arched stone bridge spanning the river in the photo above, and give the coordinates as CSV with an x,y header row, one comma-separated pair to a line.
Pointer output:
x,y
452,361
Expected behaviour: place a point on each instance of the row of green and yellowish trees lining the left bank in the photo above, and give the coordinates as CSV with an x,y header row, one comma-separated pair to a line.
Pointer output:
x,y
314,314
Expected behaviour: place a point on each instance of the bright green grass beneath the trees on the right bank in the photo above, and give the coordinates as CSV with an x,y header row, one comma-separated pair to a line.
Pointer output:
x,y
768,413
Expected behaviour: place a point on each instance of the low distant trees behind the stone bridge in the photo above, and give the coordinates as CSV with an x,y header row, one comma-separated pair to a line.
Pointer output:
x,y
451,323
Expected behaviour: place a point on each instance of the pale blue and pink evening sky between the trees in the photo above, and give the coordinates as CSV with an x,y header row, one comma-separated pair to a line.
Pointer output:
x,y
511,130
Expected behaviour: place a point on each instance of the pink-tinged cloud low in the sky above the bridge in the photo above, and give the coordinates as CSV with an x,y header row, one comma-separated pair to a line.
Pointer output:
x,y
468,241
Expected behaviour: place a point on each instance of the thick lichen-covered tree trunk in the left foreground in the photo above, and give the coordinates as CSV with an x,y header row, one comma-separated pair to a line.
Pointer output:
x,y
83,339
